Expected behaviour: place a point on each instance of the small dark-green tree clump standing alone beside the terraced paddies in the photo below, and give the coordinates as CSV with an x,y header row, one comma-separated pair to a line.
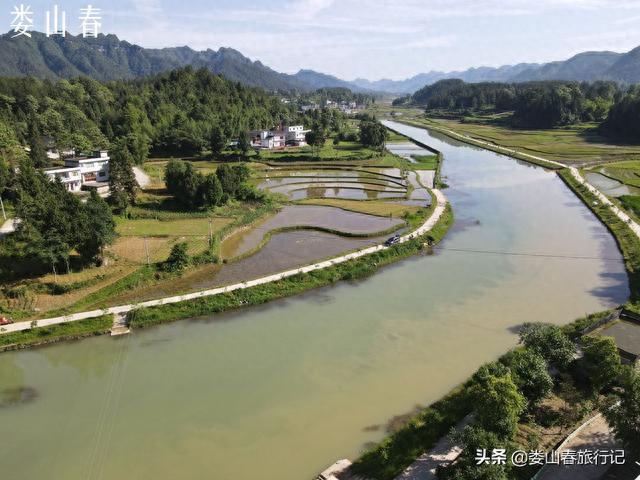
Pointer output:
x,y
192,189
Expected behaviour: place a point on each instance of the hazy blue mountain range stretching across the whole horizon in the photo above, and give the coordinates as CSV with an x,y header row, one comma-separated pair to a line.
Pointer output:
x,y
109,58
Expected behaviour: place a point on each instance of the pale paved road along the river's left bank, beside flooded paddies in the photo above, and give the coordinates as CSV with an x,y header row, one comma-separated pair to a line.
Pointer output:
x,y
424,228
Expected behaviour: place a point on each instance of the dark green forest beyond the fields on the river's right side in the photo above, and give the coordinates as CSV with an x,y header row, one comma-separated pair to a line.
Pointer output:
x,y
538,104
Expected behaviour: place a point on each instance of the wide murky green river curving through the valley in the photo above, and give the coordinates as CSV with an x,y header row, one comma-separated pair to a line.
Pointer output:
x,y
283,390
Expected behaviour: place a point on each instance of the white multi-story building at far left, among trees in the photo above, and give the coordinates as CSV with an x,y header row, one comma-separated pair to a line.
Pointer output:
x,y
80,171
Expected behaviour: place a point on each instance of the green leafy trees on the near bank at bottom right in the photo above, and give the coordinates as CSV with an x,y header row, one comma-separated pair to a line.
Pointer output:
x,y
502,392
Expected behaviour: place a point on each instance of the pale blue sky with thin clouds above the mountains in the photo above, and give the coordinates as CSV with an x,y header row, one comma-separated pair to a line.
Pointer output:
x,y
370,39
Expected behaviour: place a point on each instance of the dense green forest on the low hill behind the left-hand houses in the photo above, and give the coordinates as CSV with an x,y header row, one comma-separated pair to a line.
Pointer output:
x,y
173,112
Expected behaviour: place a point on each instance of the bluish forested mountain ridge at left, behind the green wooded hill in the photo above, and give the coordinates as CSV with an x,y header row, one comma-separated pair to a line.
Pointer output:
x,y
109,58
